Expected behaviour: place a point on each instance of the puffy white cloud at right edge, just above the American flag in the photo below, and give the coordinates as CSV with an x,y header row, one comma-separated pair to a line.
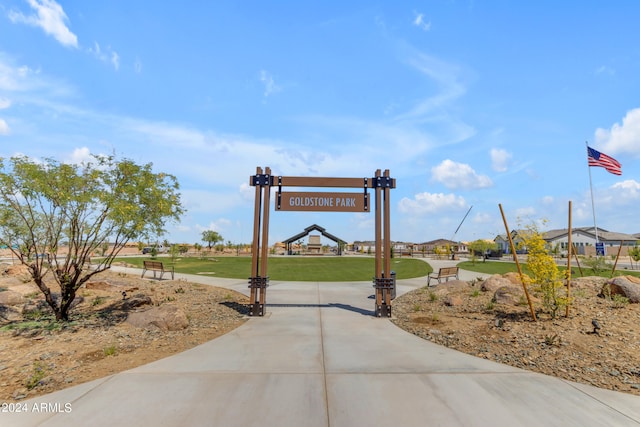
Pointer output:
x,y
621,138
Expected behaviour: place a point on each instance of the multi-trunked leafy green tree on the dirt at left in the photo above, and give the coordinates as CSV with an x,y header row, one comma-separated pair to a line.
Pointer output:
x,y
86,206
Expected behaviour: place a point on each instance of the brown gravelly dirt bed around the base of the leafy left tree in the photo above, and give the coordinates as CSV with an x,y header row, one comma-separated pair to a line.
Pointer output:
x,y
38,357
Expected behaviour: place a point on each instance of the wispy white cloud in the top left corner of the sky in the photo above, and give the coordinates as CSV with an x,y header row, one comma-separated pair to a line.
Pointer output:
x,y
51,18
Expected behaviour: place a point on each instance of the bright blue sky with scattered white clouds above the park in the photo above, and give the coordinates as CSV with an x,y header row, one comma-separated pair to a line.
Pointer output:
x,y
467,103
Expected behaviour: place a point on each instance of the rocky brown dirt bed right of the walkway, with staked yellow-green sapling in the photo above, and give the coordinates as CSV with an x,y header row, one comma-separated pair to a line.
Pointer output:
x,y
461,316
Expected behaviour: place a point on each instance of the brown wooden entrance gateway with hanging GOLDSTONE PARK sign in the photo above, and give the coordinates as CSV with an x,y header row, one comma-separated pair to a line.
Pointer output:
x,y
380,185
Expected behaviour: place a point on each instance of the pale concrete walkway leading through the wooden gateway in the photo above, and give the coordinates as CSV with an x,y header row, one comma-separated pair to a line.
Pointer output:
x,y
319,358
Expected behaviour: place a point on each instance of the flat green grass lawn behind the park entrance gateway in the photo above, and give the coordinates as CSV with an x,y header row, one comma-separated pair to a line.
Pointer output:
x,y
293,268
